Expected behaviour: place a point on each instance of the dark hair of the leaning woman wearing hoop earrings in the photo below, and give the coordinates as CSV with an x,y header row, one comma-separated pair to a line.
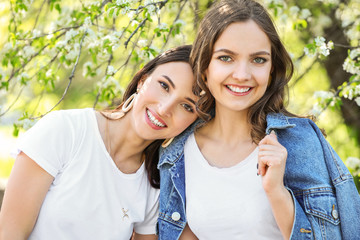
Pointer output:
x,y
178,54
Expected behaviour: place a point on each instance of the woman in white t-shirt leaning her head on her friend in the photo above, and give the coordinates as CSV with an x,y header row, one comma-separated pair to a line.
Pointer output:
x,y
84,174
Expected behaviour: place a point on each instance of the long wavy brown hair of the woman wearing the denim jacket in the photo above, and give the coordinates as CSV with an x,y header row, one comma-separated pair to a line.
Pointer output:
x,y
217,19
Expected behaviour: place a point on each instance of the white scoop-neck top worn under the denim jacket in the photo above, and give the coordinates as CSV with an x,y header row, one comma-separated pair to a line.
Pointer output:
x,y
226,203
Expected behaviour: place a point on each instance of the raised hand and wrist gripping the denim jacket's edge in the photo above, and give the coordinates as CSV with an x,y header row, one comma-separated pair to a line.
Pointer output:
x,y
272,161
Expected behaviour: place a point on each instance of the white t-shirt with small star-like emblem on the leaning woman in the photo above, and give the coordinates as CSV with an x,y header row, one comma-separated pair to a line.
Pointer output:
x,y
90,198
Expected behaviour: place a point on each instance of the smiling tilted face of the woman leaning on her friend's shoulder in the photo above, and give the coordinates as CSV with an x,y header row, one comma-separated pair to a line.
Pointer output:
x,y
165,105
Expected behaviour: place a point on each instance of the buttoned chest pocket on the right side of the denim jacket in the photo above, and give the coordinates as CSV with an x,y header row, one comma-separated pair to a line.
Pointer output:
x,y
322,210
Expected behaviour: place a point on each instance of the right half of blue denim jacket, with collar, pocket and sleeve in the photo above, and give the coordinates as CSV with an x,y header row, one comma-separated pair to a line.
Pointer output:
x,y
326,200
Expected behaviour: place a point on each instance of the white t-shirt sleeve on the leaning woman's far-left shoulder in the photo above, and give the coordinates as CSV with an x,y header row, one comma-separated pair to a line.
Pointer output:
x,y
49,142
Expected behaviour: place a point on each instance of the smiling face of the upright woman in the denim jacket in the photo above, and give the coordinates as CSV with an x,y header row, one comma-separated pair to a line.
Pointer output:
x,y
239,69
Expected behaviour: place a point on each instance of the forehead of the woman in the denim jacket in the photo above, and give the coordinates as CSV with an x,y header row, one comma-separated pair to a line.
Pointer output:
x,y
243,36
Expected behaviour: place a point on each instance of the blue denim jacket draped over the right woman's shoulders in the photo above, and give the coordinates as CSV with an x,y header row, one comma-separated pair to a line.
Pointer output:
x,y
327,204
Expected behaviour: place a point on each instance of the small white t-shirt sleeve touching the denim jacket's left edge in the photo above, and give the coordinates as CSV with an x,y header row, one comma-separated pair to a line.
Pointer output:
x,y
148,226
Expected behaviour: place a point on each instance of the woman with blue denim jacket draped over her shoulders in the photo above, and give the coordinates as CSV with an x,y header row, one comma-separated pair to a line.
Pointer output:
x,y
253,170
